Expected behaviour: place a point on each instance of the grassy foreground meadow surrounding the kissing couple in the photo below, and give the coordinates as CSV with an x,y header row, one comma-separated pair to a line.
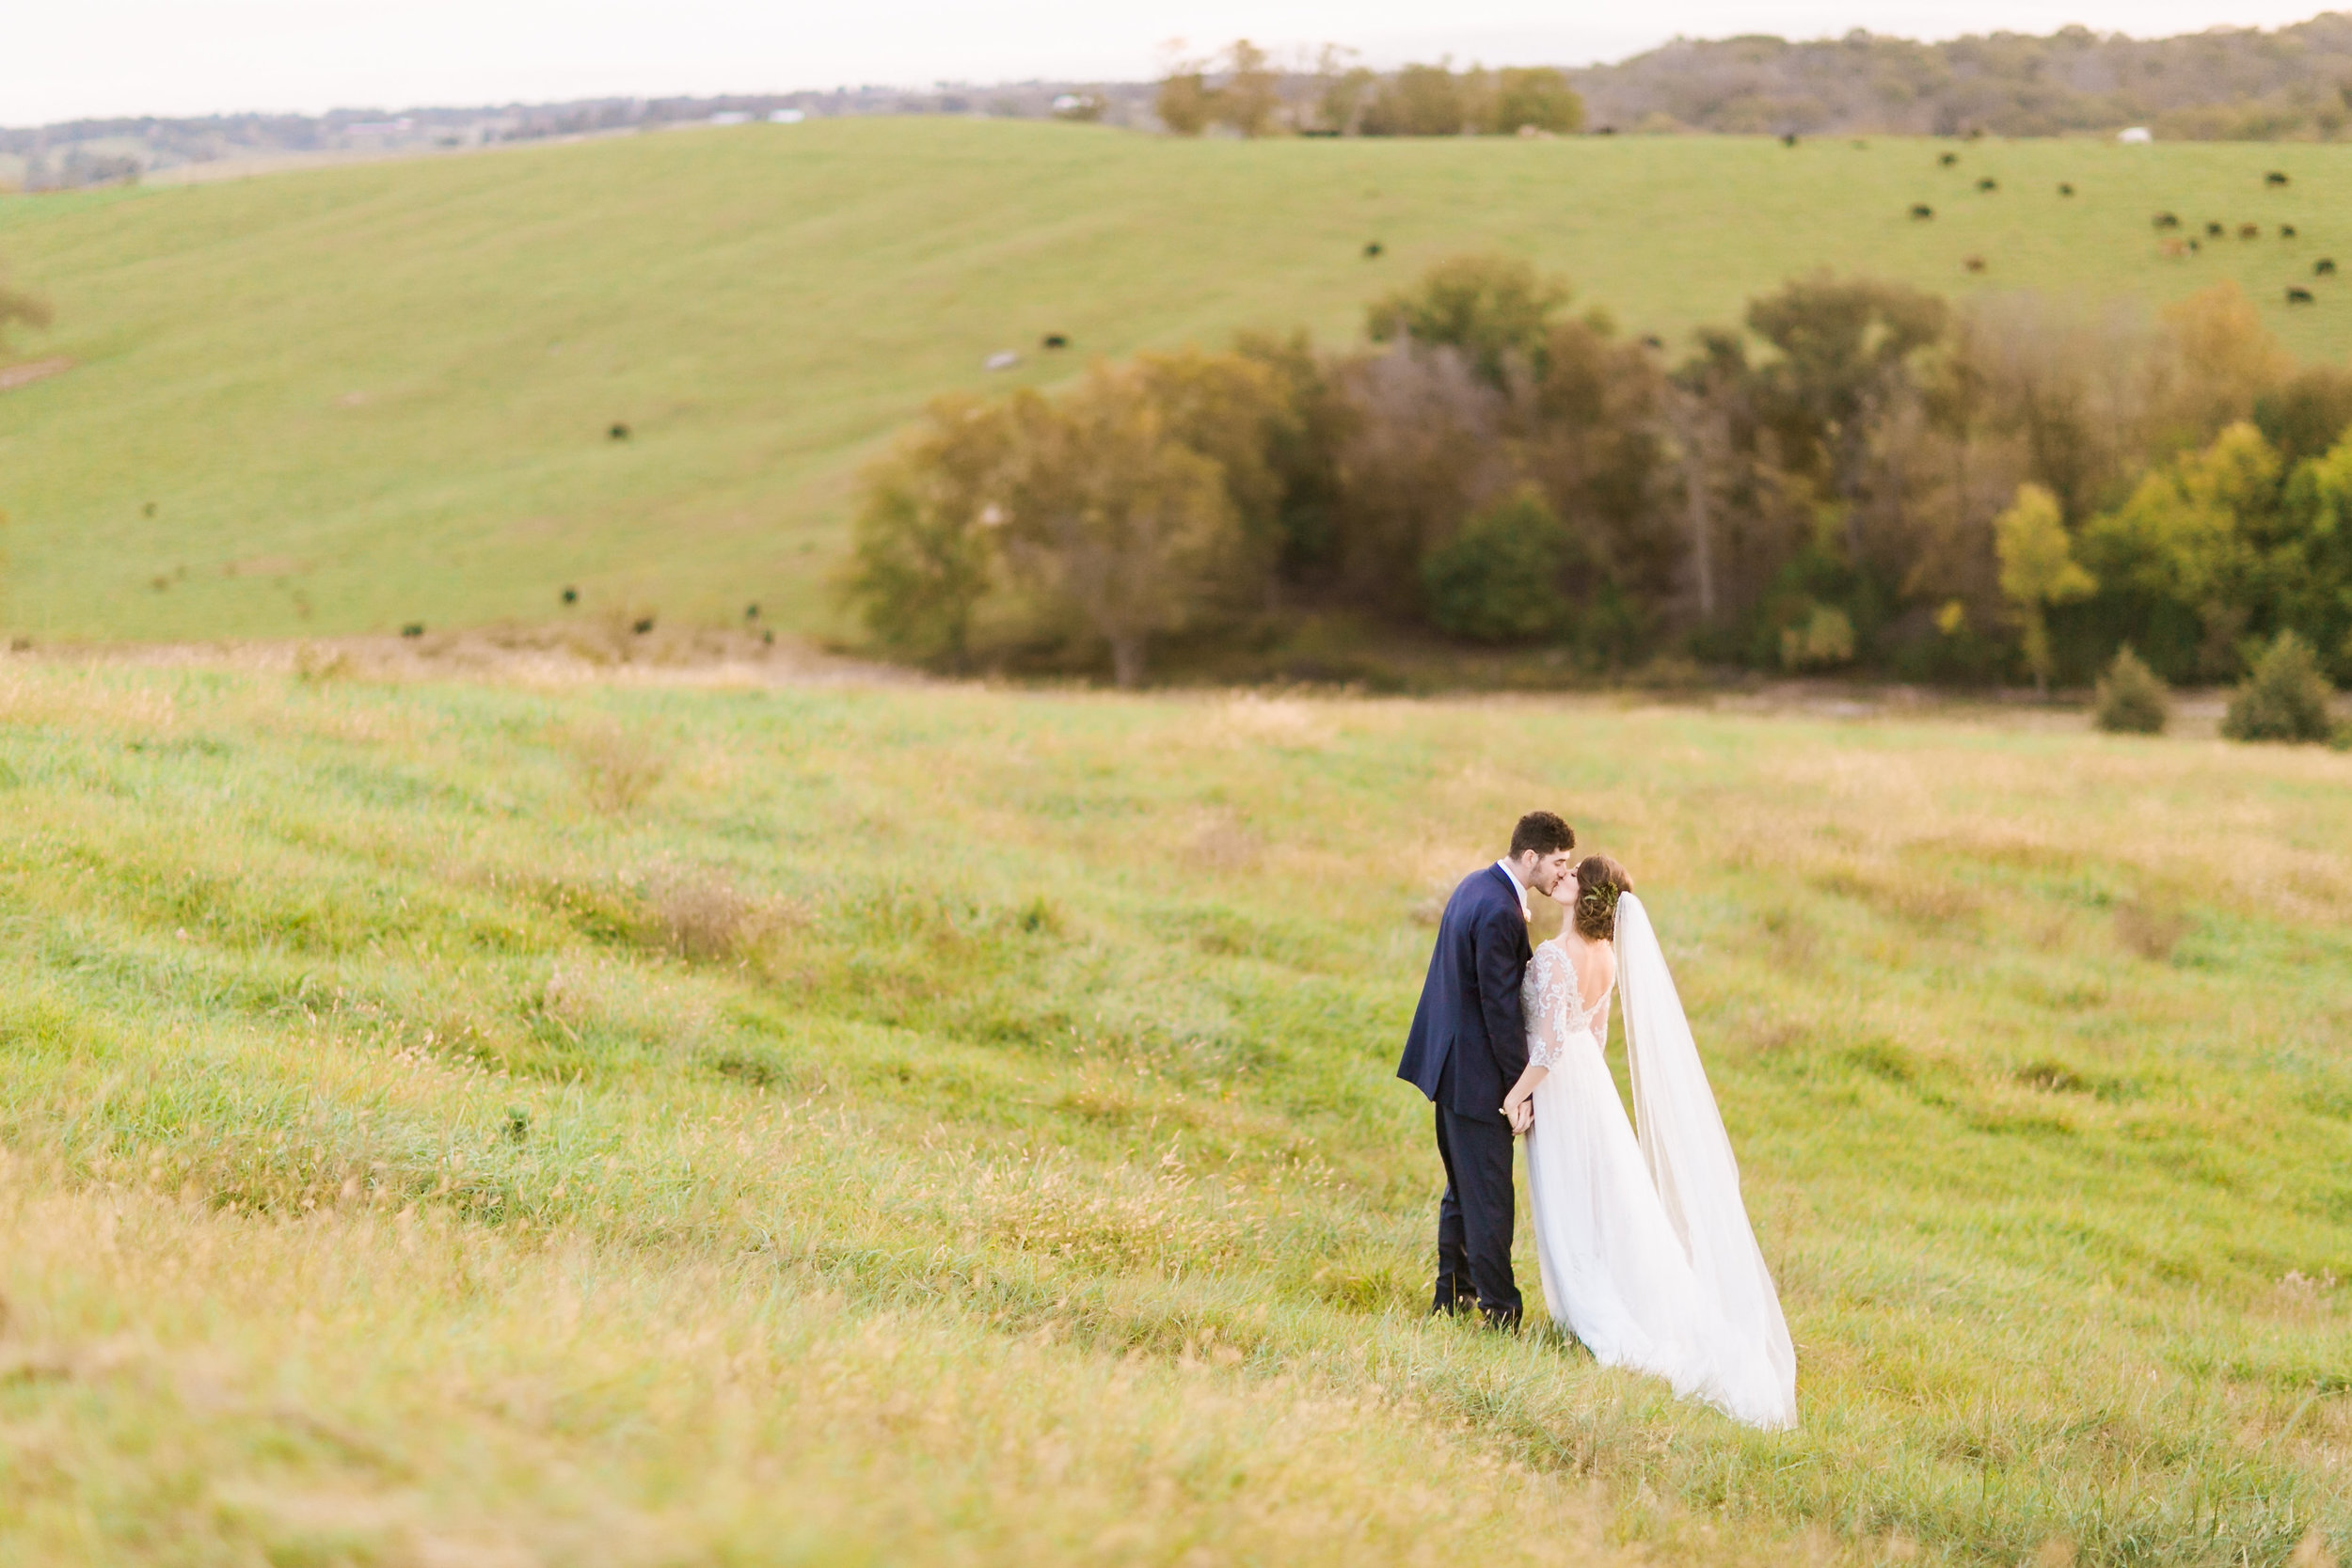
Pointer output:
x,y
850,1125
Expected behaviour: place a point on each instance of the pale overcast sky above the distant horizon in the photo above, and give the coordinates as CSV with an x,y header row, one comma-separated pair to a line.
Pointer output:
x,y
189,58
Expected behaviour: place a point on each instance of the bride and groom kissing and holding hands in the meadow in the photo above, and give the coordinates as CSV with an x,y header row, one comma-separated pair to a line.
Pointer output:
x,y
1643,1238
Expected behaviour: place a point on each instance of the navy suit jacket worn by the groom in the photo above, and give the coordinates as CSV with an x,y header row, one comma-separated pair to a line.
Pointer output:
x,y
1471,1003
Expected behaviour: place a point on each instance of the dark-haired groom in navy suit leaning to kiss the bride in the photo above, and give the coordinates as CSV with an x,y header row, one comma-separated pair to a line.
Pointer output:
x,y
1469,1047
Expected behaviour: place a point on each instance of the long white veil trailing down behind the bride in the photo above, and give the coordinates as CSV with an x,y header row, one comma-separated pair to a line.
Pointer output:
x,y
1699,1184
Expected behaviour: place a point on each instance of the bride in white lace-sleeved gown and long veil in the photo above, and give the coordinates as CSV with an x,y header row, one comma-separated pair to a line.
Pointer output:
x,y
1645,1247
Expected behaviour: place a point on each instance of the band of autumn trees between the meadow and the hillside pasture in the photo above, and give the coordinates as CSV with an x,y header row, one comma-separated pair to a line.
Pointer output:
x,y
1857,476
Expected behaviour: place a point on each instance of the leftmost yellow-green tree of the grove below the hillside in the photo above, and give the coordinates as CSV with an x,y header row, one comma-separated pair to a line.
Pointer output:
x,y
926,540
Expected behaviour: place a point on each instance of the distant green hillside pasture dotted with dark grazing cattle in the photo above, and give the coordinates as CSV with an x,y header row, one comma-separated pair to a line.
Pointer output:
x,y
368,396
